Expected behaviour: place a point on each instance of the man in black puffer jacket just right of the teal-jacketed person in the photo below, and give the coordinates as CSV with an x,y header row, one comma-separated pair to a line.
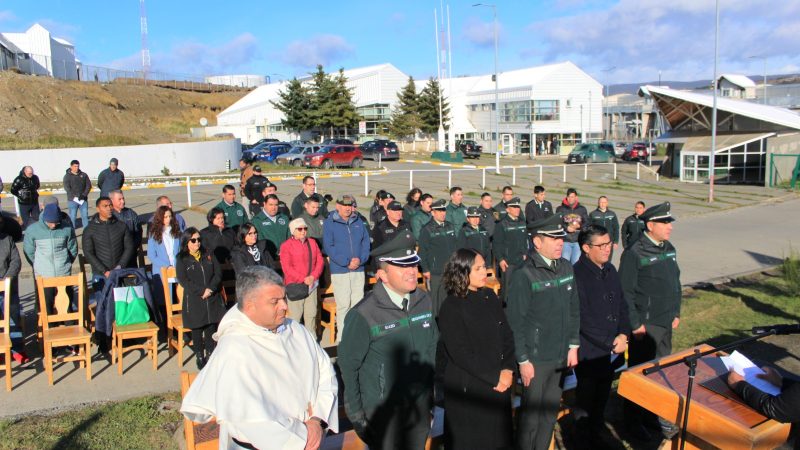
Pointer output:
x,y
106,243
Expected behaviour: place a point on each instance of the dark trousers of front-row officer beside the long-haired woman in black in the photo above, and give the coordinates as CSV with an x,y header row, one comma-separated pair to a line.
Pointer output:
x,y
541,401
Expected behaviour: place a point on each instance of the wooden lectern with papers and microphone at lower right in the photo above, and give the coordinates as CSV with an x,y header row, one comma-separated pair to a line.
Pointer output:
x,y
715,421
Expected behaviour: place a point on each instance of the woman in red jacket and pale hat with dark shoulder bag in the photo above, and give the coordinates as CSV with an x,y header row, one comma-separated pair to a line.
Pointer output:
x,y
302,263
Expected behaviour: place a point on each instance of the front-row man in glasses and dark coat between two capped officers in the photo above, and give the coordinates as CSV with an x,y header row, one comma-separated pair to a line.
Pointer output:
x,y
605,328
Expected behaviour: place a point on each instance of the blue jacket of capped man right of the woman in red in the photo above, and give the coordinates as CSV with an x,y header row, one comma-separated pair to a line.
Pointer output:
x,y
345,240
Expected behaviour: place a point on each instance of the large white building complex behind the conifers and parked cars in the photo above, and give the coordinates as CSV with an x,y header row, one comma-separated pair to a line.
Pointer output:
x,y
556,106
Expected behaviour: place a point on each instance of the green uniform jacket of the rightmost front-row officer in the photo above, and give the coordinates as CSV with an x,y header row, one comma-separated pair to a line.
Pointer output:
x,y
651,282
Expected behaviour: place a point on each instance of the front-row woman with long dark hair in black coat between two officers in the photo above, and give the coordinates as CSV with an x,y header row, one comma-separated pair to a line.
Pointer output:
x,y
479,349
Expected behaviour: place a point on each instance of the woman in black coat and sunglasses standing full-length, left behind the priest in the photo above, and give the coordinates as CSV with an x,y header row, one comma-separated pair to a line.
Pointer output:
x,y
201,277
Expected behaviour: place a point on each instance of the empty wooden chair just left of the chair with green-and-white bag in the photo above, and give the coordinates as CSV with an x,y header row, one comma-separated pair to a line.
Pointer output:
x,y
64,335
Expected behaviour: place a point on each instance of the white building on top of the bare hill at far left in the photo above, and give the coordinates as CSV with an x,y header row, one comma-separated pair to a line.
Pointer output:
x,y
37,52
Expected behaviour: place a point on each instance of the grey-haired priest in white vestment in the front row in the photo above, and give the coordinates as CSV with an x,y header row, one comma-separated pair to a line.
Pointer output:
x,y
268,384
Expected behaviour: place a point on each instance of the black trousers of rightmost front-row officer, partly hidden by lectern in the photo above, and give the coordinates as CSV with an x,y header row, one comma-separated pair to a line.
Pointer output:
x,y
656,343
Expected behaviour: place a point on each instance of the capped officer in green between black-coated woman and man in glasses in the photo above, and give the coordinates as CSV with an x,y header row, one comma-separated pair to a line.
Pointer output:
x,y
544,314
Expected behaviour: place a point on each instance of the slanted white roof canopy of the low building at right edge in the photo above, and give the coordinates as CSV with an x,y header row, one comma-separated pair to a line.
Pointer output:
x,y
691,110
